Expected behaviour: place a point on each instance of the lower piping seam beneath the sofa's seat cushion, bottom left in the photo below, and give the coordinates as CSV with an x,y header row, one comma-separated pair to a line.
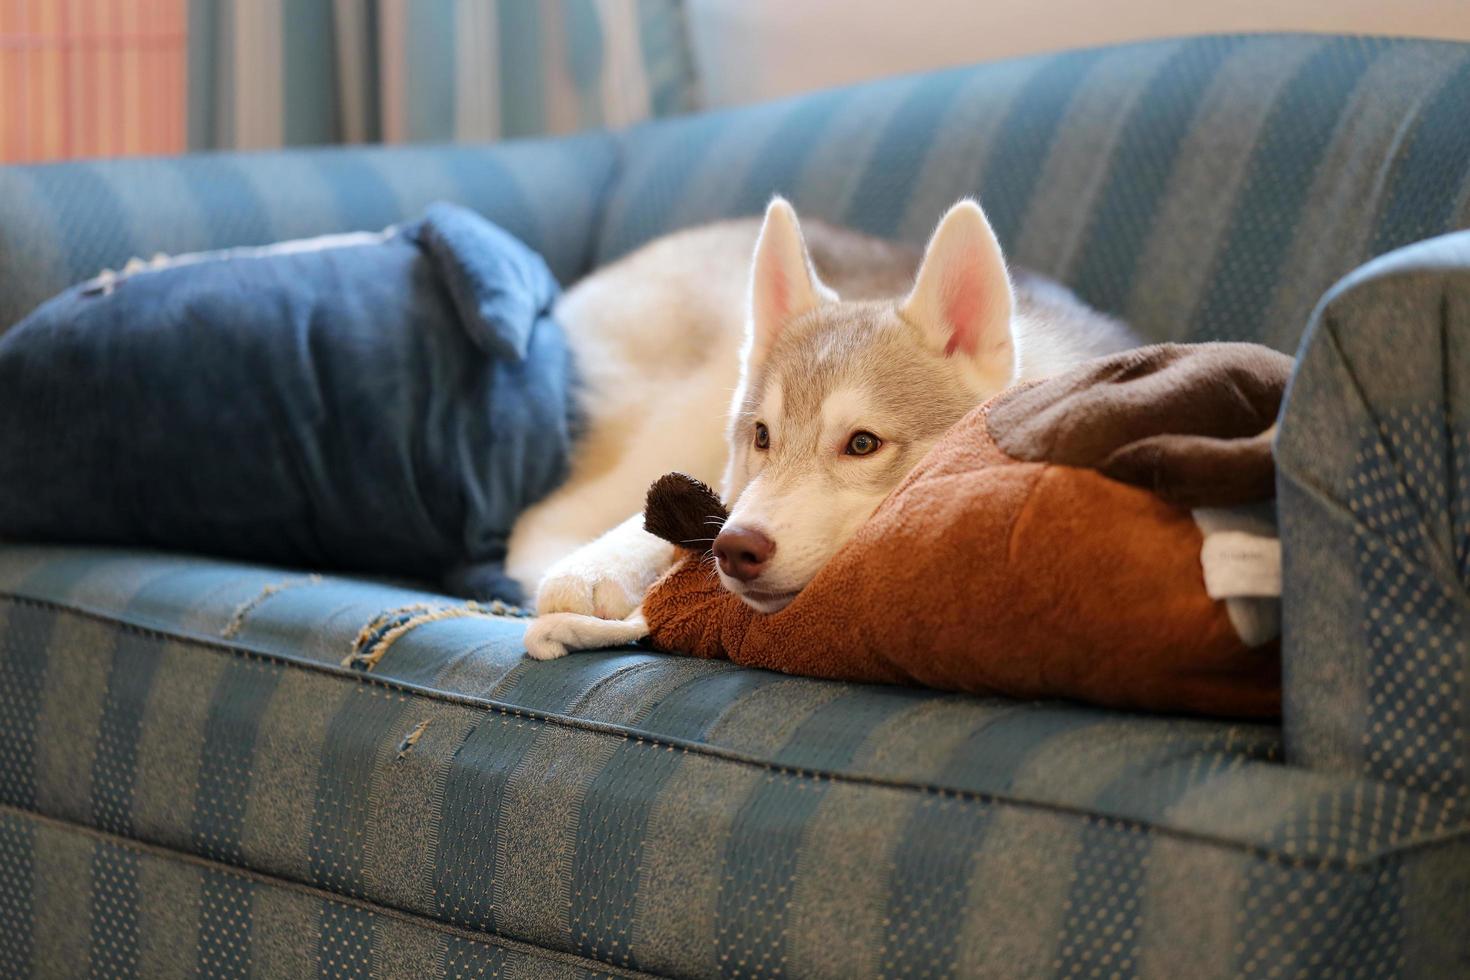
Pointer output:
x,y
377,909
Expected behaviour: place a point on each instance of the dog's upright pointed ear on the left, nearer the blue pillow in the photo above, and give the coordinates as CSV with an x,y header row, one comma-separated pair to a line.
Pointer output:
x,y
783,283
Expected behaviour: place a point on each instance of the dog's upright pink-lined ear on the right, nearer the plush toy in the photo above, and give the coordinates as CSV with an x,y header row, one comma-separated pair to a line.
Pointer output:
x,y
964,299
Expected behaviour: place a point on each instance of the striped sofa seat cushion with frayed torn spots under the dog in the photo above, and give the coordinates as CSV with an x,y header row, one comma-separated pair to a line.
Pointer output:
x,y
680,816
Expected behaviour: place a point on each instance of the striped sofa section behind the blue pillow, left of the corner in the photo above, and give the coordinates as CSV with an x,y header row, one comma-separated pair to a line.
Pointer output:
x,y
61,224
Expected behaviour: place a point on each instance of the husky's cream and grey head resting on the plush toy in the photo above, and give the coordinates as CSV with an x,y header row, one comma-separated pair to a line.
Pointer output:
x,y
839,400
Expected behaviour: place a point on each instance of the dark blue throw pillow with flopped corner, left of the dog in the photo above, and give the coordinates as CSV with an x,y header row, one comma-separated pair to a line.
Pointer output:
x,y
377,403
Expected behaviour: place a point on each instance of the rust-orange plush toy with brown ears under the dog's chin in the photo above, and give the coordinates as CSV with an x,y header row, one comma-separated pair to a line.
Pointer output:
x,y
1046,547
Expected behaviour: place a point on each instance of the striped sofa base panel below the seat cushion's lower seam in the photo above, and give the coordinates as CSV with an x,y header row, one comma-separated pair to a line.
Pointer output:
x,y
215,920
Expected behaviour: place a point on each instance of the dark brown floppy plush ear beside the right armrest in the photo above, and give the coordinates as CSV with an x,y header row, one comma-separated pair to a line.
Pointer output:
x,y
1190,422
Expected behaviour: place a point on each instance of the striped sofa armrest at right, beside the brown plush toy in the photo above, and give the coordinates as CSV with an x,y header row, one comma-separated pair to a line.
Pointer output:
x,y
1374,472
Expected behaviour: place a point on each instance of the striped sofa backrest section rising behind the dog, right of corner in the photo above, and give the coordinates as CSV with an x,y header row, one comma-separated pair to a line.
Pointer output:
x,y
1202,189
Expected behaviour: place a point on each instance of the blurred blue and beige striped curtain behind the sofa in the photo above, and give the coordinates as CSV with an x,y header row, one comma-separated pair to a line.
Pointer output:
x,y
289,73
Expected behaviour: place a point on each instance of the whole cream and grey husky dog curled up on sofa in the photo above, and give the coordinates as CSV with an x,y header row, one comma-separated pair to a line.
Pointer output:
x,y
802,375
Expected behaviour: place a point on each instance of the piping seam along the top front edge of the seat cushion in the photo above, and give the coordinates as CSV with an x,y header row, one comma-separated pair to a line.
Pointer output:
x,y
742,759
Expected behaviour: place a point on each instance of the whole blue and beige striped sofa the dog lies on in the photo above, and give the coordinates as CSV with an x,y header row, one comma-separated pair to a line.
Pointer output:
x,y
195,784
